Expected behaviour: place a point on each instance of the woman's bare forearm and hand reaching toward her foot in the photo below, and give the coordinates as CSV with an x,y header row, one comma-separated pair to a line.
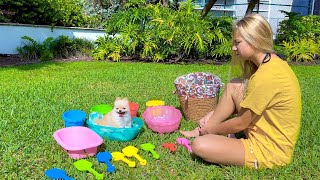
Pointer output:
x,y
234,125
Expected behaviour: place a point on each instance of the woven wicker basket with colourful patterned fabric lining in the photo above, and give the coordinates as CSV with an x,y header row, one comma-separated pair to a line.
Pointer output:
x,y
198,94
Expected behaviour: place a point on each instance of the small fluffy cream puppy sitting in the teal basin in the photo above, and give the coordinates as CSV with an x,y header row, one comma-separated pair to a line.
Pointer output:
x,y
119,116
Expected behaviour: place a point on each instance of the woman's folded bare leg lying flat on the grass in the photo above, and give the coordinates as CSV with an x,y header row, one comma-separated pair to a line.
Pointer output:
x,y
219,149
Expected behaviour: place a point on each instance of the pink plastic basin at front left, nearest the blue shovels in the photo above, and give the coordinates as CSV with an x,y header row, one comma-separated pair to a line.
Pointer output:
x,y
78,141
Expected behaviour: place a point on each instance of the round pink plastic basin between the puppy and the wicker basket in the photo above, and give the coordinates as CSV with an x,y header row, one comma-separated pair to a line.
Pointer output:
x,y
162,119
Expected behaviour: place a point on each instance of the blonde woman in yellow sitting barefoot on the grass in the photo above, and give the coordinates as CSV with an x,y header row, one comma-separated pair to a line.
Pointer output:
x,y
267,106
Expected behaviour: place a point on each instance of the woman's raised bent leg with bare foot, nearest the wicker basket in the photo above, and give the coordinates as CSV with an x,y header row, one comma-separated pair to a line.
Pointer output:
x,y
229,104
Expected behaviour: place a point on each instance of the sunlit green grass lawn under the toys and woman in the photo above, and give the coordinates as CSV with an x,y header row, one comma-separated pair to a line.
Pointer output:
x,y
33,98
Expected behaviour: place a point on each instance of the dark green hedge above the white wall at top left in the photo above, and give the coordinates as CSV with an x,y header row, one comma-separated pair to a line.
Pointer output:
x,y
46,12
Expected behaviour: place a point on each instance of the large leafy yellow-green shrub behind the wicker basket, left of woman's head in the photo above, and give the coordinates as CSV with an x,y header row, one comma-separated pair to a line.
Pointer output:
x,y
160,33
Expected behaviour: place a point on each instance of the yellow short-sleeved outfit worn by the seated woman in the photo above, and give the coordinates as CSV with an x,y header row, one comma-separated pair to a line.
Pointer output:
x,y
273,93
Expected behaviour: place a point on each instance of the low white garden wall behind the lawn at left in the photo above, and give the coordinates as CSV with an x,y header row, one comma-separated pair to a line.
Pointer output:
x,y
10,35
